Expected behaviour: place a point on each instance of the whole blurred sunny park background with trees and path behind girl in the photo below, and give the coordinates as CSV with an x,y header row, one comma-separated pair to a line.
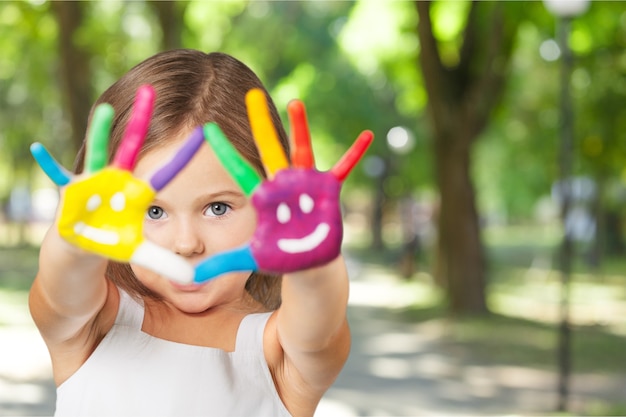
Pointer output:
x,y
484,230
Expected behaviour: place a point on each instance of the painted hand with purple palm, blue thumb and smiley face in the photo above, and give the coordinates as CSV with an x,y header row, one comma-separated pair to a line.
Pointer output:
x,y
299,217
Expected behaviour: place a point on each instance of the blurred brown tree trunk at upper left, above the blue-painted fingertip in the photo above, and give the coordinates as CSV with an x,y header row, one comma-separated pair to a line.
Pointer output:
x,y
75,68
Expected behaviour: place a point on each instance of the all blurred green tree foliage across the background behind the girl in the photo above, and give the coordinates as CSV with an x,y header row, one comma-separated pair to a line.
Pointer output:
x,y
356,65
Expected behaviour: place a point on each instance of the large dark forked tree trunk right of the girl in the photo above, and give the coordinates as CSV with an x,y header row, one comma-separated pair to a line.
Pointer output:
x,y
460,101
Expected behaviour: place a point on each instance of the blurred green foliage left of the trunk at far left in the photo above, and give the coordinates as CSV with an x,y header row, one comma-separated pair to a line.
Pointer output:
x,y
29,99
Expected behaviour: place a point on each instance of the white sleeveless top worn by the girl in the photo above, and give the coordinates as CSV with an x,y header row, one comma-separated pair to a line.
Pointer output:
x,y
134,374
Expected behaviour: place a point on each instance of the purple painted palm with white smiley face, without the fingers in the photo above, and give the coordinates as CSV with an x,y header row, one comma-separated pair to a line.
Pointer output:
x,y
299,226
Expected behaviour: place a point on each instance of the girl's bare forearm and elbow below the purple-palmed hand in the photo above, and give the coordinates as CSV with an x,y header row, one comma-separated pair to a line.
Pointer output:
x,y
308,339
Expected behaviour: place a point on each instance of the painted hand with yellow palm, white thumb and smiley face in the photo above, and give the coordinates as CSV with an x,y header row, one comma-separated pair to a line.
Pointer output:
x,y
103,210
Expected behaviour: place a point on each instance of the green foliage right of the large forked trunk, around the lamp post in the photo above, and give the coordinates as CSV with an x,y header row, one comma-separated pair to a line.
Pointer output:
x,y
523,136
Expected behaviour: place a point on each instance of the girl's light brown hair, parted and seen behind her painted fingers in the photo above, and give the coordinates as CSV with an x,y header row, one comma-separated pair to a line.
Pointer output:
x,y
192,88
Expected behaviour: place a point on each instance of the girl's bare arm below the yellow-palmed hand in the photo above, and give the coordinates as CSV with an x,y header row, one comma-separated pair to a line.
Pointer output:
x,y
72,303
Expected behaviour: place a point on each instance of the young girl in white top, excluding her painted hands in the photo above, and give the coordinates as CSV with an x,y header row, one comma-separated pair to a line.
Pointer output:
x,y
125,340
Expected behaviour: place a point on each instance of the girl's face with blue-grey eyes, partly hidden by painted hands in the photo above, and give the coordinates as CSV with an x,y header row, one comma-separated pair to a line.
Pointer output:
x,y
202,211
